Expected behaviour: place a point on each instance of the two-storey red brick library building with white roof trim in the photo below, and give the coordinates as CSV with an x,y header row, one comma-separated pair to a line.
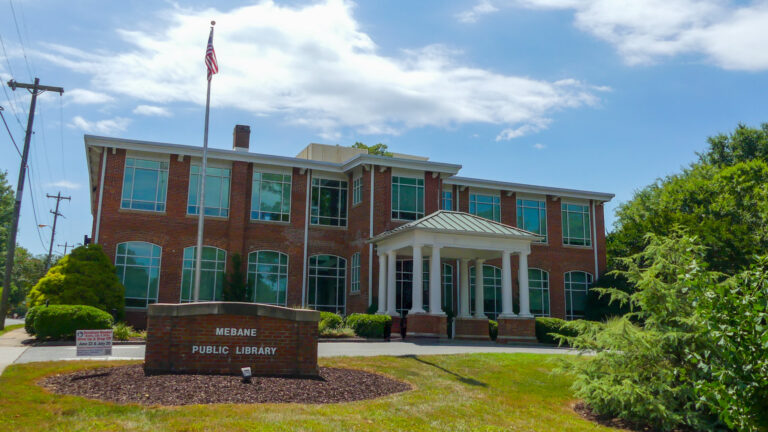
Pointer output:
x,y
304,225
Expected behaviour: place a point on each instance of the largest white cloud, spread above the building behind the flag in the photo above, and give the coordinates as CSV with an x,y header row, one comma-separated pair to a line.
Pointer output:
x,y
314,66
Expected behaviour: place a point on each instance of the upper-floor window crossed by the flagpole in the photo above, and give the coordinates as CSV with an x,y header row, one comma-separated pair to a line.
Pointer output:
x,y
216,191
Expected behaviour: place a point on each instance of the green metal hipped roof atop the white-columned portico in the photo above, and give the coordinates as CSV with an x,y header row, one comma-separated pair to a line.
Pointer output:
x,y
453,222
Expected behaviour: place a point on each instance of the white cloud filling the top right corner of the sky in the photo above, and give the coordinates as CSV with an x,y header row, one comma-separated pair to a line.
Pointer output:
x,y
724,32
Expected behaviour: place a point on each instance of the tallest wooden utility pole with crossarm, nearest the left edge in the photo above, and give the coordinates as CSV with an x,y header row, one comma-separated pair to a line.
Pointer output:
x,y
35,89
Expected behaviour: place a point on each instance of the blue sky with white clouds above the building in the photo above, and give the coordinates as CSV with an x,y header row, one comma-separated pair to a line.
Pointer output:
x,y
601,95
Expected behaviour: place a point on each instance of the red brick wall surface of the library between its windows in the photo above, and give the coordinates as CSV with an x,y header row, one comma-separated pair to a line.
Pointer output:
x,y
173,230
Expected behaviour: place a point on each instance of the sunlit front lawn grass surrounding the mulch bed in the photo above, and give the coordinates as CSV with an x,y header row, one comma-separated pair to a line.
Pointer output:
x,y
483,392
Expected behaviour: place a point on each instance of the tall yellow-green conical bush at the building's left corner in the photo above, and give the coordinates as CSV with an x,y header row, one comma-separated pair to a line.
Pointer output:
x,y
84,277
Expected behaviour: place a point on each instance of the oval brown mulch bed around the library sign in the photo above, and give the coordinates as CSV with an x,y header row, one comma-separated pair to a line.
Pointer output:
x,y
129,384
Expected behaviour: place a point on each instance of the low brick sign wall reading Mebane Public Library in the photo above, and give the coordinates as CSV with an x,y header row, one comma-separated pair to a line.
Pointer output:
x,y
223,337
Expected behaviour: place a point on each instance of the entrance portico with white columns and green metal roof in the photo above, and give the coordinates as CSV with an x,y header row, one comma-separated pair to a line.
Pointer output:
x,y
456,236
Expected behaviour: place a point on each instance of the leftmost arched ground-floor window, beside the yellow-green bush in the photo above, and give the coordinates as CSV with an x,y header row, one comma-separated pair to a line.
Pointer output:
x,y
138,268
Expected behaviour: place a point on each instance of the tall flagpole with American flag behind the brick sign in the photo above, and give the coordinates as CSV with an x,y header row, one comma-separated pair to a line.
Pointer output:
x,y
213,67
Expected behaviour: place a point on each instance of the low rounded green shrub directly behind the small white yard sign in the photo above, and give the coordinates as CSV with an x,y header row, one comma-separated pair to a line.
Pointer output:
x,y
62,321
